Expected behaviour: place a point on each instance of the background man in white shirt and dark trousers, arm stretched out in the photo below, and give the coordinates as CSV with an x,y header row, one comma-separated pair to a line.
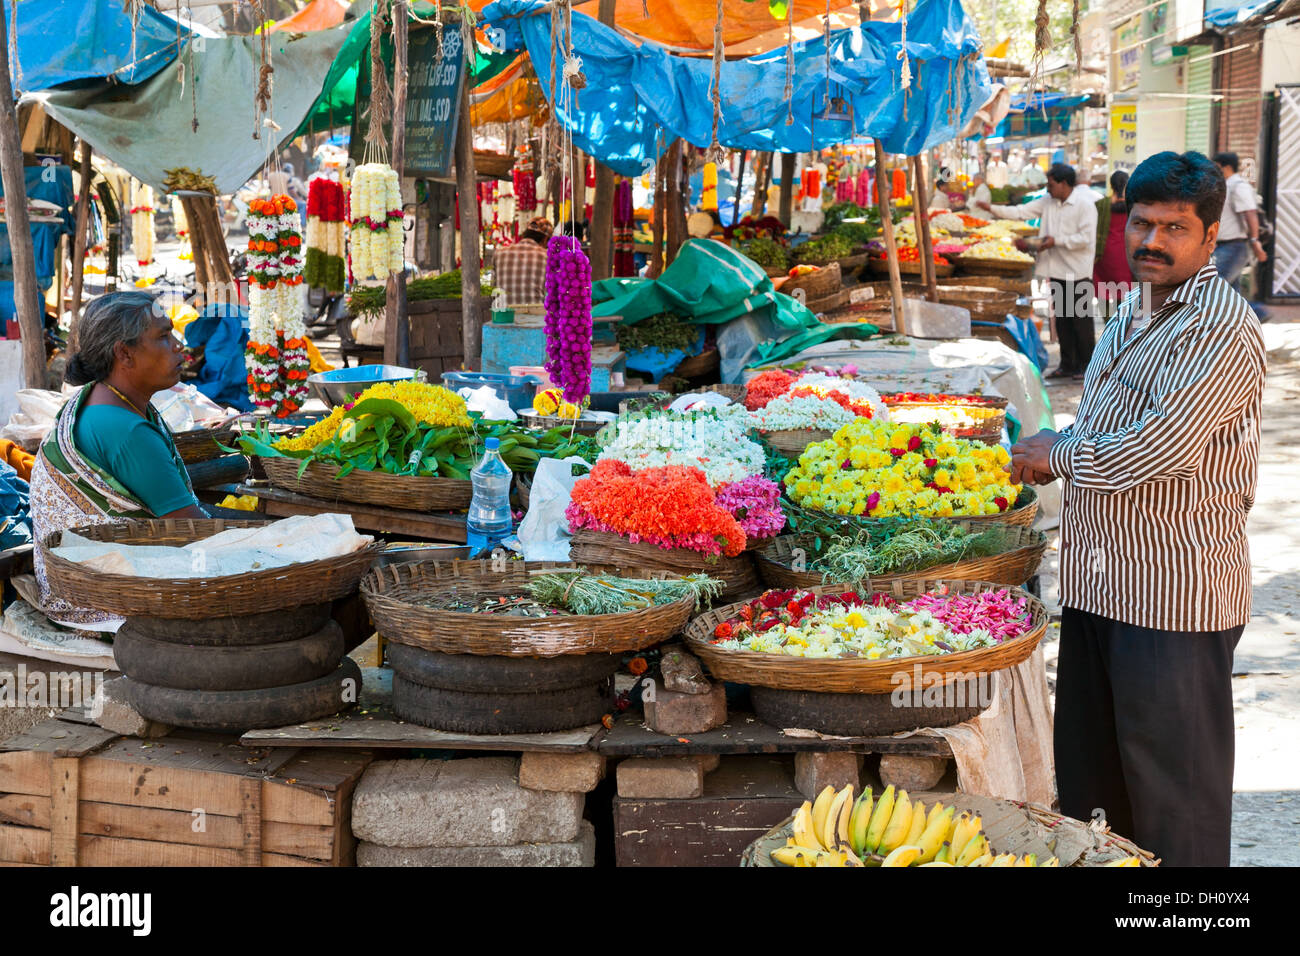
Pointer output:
x,y
1069,233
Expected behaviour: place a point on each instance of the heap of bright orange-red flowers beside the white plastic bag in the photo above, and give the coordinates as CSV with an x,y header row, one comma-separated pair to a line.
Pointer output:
x,y
669,508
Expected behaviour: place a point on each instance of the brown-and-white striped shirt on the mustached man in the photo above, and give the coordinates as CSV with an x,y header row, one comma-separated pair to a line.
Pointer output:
x,y
1160,465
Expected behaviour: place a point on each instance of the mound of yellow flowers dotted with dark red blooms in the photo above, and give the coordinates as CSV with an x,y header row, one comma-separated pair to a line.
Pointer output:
x,y
881,470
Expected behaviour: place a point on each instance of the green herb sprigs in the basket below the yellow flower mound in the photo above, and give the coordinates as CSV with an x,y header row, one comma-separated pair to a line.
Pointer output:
x,y
844,550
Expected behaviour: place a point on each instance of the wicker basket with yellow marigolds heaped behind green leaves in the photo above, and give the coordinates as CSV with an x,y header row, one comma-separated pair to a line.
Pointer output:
x,y
332,481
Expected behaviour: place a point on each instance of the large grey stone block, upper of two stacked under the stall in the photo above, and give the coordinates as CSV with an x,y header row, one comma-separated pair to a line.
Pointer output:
x,y
460,803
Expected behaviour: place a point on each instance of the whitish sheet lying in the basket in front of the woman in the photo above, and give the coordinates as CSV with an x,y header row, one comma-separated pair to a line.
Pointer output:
x,y
239,551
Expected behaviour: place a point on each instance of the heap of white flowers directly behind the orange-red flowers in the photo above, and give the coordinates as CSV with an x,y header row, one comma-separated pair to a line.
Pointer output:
x,y
718,447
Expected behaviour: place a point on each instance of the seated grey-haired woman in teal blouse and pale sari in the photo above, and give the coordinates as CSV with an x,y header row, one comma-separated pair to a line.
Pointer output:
x,y
110,456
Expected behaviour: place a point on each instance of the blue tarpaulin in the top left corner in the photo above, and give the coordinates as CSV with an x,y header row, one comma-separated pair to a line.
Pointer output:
x,y
70,41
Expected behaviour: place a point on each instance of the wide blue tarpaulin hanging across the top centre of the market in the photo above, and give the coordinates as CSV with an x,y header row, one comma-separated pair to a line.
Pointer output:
x,y
639,97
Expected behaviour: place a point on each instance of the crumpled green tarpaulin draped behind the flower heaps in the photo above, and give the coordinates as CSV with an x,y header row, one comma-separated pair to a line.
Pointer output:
x,y
713,284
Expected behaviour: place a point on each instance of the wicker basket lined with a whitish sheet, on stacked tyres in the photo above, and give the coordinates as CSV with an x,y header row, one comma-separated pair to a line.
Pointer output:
x,y
198,599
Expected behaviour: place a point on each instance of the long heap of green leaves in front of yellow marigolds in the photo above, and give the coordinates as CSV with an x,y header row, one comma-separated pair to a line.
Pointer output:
x,y
382,435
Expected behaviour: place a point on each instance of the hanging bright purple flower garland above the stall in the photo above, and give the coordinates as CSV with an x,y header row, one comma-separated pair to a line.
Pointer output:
x,y
569,318
